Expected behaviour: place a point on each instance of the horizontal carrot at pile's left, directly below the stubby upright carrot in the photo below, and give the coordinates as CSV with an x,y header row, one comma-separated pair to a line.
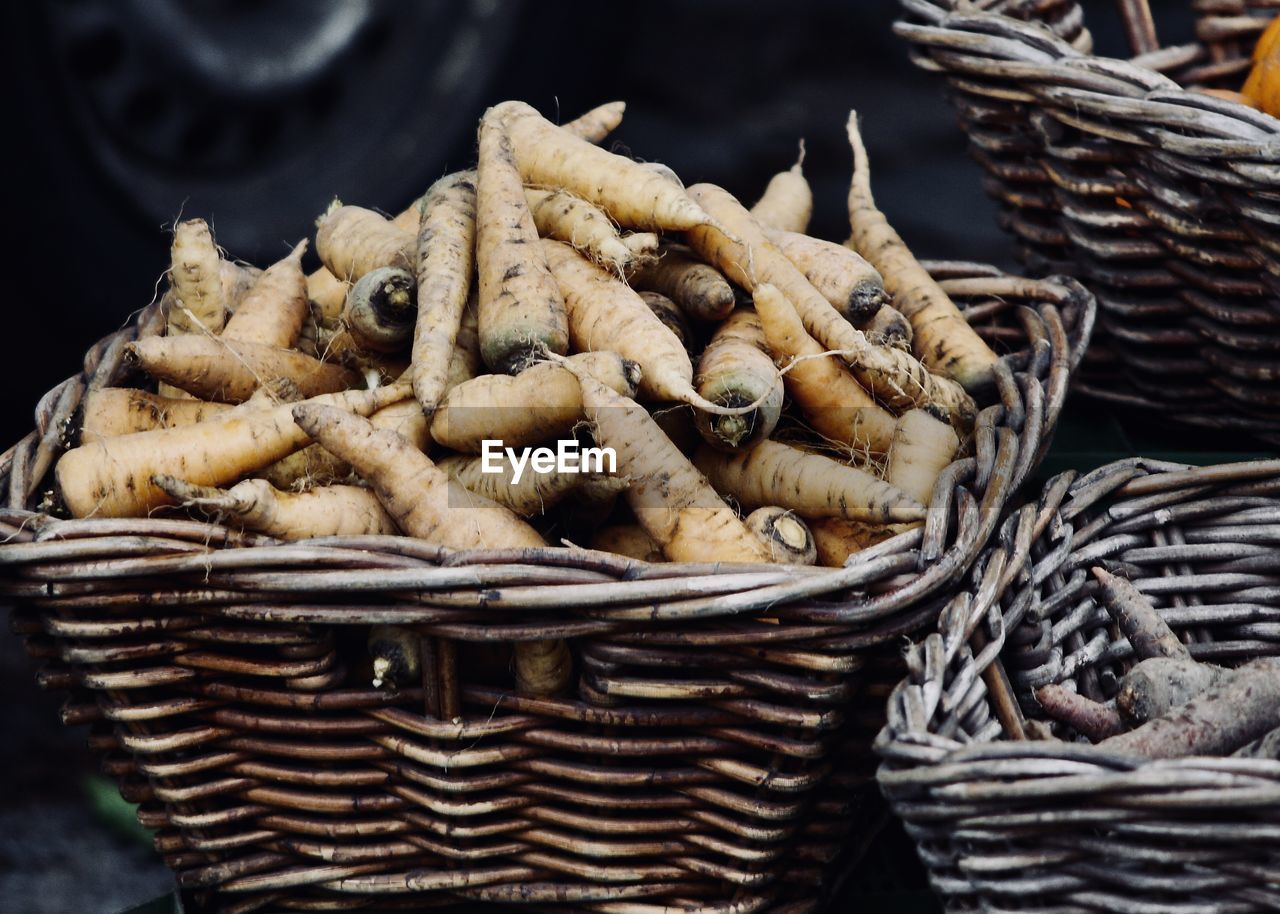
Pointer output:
x,y
231,371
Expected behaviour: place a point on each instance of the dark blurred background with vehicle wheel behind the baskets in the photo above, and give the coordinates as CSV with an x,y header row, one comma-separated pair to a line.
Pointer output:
x,y
127,115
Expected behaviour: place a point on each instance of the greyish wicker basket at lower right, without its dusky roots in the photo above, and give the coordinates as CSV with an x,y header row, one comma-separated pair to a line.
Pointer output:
x,y
1009,824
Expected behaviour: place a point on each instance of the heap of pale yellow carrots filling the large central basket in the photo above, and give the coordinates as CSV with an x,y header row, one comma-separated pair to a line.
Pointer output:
x,y
769,396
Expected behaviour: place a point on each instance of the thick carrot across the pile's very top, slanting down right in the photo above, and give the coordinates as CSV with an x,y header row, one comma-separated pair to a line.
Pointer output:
x,y
634,196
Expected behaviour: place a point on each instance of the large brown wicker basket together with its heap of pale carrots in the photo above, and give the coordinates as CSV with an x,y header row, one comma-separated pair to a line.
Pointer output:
x,y
342,653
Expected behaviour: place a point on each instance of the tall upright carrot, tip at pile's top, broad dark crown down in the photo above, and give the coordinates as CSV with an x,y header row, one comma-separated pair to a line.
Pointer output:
x,y
522,309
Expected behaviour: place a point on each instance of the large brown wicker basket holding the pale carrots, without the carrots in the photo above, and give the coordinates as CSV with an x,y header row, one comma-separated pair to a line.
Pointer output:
x,y
715,758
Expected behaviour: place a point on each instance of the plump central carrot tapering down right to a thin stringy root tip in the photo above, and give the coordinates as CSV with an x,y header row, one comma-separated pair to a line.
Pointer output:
x,y
606,316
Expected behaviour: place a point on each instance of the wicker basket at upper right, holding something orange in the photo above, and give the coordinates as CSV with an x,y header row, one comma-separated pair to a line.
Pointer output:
x,y
1163,202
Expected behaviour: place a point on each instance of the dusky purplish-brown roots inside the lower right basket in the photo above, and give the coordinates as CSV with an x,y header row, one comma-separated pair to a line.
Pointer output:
x,y
1169,705
